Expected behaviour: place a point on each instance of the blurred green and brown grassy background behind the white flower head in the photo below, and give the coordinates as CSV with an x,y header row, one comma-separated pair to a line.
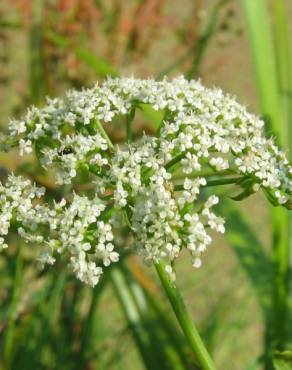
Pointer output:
x,y
240,297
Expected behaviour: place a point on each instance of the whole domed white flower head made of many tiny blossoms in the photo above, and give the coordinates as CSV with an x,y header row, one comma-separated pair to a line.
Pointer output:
x,y
156,182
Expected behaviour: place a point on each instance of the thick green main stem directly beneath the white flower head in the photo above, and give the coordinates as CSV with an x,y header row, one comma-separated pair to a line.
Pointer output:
x,y
184,319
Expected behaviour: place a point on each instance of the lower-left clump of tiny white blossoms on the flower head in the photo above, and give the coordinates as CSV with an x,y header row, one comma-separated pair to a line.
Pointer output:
x,y
73,230
